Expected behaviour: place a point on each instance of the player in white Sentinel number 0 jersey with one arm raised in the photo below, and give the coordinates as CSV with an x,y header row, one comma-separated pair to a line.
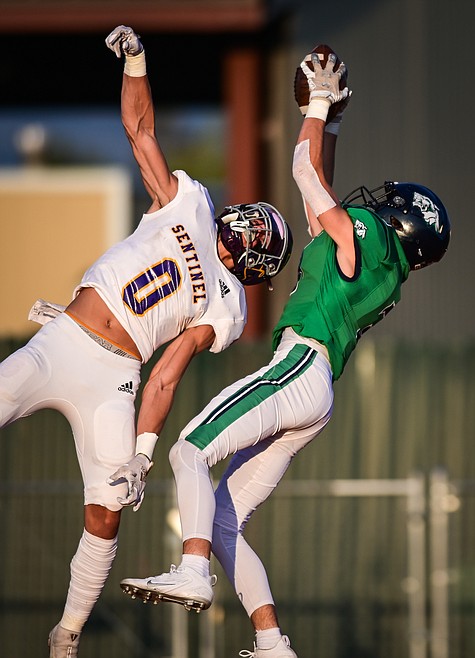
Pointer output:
x,y
177,279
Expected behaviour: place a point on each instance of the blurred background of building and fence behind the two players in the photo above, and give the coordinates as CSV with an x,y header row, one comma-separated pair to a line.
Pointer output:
x,y
361,575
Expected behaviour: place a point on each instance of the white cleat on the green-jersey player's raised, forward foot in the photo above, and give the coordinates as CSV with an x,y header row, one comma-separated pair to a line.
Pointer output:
x,y
180,585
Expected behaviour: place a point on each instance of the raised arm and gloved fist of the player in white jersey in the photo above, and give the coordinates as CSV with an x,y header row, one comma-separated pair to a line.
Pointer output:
x,y
138,117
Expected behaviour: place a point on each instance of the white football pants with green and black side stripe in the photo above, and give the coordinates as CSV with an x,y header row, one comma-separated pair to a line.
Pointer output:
x,y
263,420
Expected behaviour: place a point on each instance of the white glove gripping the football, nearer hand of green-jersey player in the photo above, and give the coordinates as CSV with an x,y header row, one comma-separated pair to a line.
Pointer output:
x,y
324,85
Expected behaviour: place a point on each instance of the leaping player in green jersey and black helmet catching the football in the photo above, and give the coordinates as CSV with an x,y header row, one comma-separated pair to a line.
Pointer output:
x,y
351,274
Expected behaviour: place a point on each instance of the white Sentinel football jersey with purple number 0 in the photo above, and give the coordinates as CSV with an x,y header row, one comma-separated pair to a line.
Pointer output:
x,y
167,275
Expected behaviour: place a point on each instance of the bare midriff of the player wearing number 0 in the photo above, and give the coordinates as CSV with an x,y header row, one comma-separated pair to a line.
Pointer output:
x,y
90,310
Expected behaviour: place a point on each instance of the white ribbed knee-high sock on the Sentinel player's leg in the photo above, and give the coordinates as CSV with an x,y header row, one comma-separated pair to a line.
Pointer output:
x,y
90,567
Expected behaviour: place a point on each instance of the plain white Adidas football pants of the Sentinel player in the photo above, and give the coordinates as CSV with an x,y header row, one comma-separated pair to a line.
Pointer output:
x,y
62,368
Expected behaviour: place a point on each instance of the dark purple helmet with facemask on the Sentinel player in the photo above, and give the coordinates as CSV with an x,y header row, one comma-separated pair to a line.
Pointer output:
x,y
258,239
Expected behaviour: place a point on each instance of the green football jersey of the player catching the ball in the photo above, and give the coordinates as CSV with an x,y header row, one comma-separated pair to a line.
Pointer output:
x,y
336,310
